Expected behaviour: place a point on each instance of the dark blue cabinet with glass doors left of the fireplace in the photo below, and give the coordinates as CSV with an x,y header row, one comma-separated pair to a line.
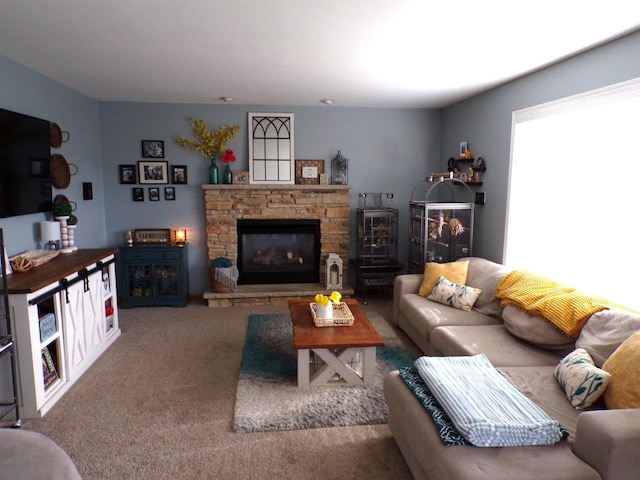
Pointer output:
x,y
153,275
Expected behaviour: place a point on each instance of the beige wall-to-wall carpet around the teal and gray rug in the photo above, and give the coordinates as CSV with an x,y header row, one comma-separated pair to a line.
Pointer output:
x,y
159,405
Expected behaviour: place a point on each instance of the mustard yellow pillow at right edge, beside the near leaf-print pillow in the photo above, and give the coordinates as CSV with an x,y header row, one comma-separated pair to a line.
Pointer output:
x,y
624,366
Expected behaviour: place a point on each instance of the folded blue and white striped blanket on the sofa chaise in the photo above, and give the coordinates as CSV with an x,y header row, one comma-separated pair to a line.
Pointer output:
x,y
485,408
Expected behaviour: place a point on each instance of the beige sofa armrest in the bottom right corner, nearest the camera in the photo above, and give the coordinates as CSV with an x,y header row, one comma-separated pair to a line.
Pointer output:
x,y
609,441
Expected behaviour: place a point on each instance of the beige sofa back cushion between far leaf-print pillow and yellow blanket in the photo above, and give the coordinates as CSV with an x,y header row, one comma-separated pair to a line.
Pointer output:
x,y
486,275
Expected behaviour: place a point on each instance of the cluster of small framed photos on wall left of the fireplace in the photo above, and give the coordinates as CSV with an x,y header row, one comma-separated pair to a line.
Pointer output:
x,y
153,175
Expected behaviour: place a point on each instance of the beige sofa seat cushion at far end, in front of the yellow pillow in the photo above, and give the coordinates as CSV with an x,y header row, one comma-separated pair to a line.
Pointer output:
x,y
425,315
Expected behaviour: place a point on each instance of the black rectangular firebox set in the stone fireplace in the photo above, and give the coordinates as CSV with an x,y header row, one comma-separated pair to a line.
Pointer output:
x,y
278,251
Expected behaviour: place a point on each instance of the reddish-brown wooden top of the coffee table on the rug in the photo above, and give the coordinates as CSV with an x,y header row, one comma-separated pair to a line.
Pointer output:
x,y
307,336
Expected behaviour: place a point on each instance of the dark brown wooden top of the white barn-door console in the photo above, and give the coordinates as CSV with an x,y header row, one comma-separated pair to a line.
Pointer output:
x,y
60,267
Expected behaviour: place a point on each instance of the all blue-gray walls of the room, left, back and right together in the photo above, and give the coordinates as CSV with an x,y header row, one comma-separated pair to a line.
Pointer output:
x,y
390,150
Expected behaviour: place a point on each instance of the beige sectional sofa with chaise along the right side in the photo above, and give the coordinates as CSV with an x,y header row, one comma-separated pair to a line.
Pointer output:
x,y
603,443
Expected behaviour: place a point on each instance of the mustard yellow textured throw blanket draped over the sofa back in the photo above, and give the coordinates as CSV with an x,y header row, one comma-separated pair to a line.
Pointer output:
x,y
565,307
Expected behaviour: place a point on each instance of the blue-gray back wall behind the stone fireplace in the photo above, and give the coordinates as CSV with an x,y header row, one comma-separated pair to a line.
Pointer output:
x,y
388,151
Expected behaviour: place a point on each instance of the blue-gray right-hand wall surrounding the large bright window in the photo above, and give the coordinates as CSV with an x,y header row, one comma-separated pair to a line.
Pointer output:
x,y
485,122
